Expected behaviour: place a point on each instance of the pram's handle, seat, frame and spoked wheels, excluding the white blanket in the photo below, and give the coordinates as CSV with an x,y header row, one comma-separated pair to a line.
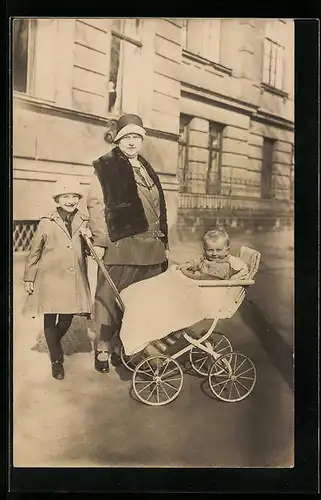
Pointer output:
x,y
158,379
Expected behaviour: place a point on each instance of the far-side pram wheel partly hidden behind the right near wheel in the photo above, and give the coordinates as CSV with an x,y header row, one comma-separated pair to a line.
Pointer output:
x,y
201,361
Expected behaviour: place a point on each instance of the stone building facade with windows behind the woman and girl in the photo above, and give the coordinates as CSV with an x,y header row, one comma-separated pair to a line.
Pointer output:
x,y
216,97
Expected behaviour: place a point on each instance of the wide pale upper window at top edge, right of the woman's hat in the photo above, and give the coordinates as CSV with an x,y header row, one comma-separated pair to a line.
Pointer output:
x,y
202,37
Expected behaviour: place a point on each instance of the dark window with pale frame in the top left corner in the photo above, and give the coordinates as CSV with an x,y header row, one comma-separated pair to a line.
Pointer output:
x,y
22,54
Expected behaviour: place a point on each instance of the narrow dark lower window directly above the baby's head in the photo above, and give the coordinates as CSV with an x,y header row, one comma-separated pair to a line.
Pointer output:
x,y
213,174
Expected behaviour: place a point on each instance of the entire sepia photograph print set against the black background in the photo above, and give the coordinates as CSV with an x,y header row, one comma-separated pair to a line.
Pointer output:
x,y
153,242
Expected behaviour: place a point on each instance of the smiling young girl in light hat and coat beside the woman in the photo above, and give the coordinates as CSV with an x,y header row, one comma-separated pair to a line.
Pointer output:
x,y
55,275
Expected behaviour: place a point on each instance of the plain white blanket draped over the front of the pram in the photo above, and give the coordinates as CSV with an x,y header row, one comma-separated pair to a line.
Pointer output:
x,y
158,306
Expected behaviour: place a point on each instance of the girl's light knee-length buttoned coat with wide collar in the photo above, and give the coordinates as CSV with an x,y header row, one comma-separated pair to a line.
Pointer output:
x,y
57,266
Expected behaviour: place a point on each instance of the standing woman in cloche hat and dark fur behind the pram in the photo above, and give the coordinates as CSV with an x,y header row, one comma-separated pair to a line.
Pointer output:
x,y
128,221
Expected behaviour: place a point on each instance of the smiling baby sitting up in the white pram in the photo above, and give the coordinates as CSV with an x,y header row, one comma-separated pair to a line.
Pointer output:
x,y
216,261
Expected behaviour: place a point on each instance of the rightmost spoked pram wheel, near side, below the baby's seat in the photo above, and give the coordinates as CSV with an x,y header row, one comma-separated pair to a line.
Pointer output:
x,y
232,377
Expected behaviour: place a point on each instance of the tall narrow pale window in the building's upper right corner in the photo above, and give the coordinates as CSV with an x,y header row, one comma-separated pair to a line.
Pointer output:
x,y
273,57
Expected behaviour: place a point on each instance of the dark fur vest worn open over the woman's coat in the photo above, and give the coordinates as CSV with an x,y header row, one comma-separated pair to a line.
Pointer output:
x,y
124,210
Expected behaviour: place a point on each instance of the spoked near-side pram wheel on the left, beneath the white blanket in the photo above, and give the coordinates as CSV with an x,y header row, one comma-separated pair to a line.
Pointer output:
x,y
157,380
